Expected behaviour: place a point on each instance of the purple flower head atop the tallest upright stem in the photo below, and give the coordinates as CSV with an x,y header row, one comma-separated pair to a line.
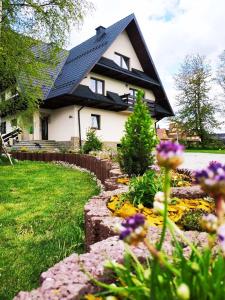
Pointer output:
x,y
169,154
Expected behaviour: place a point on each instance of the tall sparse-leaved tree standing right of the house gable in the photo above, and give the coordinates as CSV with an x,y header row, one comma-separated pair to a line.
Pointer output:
x,y
196,109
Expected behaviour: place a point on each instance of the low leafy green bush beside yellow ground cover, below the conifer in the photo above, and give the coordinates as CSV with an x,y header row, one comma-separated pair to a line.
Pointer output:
x,y
142,189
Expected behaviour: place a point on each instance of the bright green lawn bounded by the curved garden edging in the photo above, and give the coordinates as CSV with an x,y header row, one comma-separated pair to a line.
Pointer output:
x,y
41,220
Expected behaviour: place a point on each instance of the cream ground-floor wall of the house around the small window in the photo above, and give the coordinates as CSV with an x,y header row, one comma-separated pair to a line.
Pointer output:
x,y
62,127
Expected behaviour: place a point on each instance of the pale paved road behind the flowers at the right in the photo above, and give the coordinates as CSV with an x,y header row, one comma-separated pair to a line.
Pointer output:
x,y
195,161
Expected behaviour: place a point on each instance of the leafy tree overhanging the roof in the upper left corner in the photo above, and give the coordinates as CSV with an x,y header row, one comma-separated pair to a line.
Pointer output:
x,y
32,34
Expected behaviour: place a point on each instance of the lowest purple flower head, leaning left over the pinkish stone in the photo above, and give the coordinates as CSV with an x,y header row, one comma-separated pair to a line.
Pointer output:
x,y
133,229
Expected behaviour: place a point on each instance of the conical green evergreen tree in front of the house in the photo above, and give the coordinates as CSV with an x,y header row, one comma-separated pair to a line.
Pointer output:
x,y
135,153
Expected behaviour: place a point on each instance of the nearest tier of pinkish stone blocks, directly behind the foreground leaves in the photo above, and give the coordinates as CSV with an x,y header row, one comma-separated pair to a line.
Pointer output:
x,y
67,280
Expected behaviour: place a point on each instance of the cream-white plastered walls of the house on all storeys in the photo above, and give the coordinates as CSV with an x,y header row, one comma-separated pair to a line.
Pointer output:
x,y
63,122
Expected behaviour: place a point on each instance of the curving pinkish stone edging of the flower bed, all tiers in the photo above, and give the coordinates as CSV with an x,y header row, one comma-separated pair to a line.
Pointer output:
x,y
66,279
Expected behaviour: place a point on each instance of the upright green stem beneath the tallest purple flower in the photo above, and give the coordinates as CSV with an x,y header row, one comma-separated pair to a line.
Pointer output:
x,y
166,195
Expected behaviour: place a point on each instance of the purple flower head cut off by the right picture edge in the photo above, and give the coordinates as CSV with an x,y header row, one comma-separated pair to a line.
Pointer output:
x,y
212,179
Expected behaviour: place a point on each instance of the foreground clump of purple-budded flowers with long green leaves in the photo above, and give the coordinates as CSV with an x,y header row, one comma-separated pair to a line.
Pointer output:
x,y
192,272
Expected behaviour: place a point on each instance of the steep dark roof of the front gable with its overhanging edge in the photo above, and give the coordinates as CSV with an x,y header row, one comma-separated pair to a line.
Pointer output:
x,y
84,57
